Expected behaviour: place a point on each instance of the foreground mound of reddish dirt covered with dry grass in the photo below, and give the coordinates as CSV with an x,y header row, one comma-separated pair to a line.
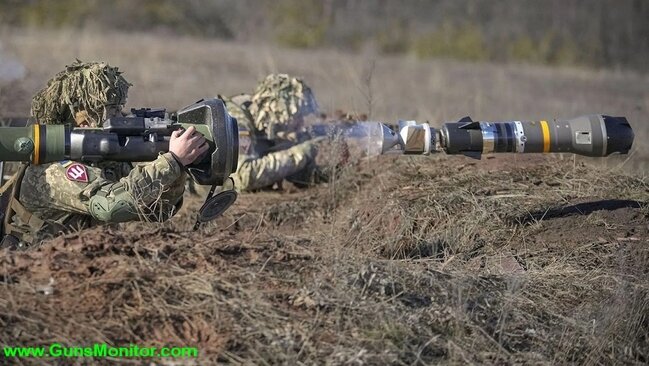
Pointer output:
x,y
398,261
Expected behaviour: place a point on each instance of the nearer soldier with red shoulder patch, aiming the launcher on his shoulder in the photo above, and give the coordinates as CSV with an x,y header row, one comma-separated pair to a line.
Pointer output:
x,y
42,200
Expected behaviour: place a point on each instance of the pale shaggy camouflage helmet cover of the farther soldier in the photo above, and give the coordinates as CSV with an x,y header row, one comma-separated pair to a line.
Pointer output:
x,y
278,101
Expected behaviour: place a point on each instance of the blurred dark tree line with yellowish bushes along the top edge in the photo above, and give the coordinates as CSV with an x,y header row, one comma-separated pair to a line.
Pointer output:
x,y
599,33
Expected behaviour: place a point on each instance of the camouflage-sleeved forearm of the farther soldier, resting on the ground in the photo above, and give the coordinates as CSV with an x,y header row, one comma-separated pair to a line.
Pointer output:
x,y
255,173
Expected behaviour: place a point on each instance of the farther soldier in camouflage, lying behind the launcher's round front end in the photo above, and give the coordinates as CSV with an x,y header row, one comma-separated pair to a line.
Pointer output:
x,y
270,148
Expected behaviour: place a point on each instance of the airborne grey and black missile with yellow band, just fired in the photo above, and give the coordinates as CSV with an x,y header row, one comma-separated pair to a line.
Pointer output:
x,y
593,135
